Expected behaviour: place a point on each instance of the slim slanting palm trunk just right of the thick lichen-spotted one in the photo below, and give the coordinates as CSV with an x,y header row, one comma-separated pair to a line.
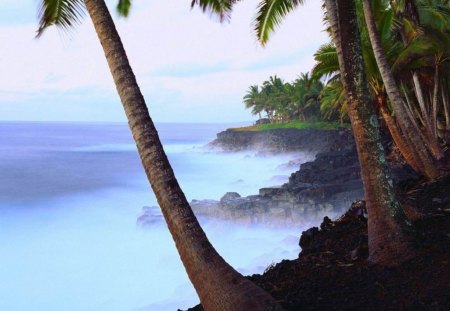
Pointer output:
x,y
418,146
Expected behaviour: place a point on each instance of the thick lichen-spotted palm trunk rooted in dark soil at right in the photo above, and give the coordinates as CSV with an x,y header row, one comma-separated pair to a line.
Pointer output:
x,y
387,224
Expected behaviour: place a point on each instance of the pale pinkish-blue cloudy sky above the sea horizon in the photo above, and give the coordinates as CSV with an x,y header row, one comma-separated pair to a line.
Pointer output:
x,y
190,67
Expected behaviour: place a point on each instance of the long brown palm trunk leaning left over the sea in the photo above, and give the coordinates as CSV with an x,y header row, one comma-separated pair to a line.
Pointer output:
x,y
218,285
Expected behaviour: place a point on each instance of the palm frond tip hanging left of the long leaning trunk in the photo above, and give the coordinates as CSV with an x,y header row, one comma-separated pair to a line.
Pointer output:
x,y
61,13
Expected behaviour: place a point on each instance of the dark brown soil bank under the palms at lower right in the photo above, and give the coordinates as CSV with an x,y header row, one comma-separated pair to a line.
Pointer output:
x,y
332,272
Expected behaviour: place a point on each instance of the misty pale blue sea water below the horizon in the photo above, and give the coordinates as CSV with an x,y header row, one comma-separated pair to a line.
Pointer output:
x,y
70,195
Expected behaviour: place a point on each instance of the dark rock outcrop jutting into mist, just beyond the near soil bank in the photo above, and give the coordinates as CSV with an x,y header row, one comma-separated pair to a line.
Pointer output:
x,y
325,186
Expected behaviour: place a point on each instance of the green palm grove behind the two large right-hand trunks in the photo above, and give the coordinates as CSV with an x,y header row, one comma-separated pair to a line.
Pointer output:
x,y
418,57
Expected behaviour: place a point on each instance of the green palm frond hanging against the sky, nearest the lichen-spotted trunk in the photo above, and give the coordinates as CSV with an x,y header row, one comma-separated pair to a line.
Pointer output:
x,y
270,14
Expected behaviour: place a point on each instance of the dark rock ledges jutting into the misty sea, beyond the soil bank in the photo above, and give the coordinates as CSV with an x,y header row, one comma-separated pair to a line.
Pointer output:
x,y
326,186
